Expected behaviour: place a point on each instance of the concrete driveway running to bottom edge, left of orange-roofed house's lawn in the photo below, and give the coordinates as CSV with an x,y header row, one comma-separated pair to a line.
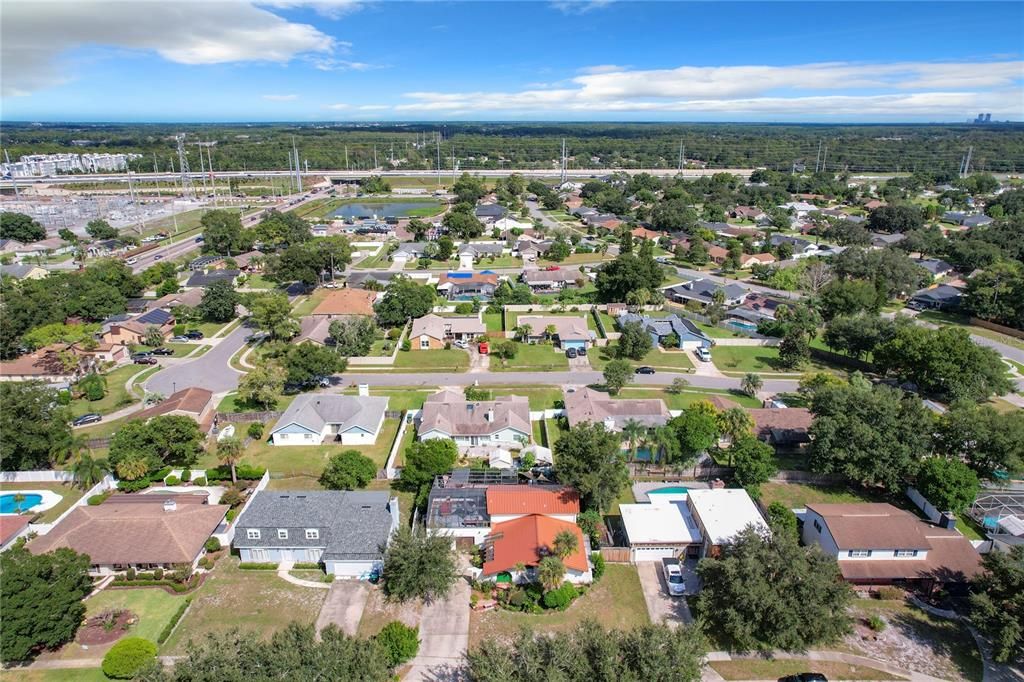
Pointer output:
x,y
444,638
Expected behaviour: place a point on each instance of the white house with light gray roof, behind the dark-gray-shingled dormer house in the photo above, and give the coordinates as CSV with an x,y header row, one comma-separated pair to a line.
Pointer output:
x,y
316,418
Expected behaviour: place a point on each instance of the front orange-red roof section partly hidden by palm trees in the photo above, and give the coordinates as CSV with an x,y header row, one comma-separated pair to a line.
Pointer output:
x,y
529,540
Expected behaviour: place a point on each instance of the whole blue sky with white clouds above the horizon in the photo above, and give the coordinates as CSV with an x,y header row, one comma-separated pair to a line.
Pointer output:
x,y
215,61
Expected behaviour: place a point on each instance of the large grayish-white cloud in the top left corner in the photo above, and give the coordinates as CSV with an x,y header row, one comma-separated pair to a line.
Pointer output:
x,y
34,34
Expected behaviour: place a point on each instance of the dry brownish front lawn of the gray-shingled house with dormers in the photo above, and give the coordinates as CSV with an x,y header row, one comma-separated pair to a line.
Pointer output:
x,y
255,602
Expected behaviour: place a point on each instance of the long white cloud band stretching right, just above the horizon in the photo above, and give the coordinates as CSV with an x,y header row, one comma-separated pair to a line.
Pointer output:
x,y
821,90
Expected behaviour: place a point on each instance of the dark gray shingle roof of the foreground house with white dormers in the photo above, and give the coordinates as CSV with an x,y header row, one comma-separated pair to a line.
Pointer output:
x,y
353,525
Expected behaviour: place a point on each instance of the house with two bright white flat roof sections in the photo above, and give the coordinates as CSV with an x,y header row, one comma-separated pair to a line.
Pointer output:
x,y
693,524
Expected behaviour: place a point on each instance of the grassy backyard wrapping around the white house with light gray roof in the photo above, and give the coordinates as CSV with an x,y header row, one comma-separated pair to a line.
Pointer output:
x,y
309,460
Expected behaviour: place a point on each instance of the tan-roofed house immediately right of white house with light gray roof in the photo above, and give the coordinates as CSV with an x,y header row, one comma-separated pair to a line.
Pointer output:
x,y
502,421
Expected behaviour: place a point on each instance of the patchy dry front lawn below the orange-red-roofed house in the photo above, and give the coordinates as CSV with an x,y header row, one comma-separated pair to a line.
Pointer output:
x,y
615,602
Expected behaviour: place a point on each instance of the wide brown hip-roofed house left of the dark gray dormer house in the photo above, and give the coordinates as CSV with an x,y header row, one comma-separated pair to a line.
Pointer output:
x,y
138,532
